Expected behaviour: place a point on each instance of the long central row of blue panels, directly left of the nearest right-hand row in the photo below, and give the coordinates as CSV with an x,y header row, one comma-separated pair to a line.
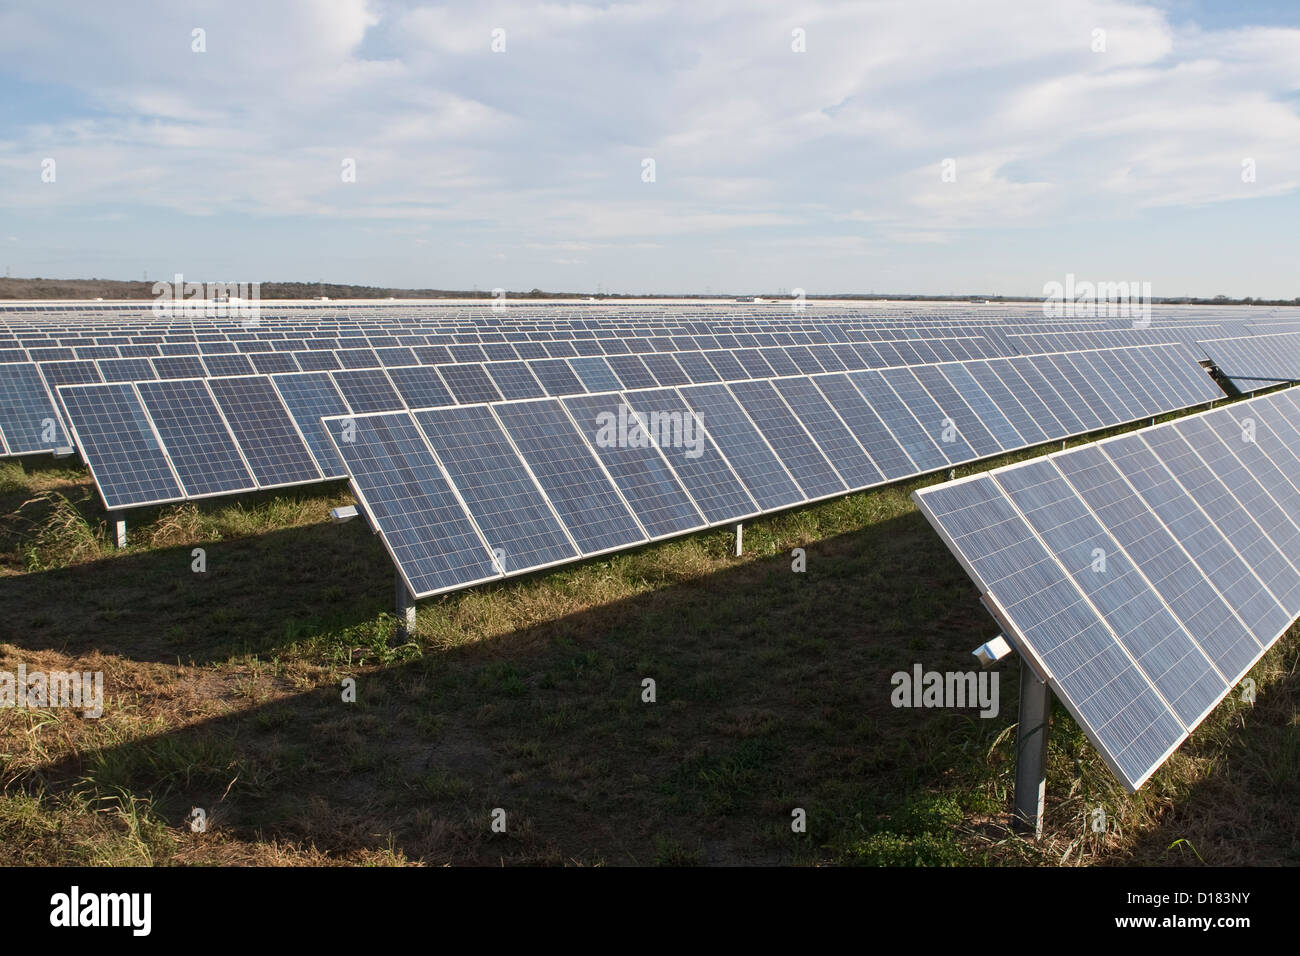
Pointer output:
x,y
474,494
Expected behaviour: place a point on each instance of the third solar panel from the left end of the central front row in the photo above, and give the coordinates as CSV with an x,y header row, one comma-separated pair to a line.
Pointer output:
x,y
570,474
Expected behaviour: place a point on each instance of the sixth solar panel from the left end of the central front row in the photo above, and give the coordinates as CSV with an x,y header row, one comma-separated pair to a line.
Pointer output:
x,y
743,444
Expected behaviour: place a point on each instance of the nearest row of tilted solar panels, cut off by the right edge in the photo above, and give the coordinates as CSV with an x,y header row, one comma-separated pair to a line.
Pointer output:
x,y
1145,576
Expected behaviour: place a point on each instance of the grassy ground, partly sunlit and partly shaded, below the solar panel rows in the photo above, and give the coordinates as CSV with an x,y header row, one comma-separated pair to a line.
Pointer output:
x,y
226,693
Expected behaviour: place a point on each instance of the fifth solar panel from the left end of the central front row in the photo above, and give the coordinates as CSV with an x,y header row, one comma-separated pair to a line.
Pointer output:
x,y
714,487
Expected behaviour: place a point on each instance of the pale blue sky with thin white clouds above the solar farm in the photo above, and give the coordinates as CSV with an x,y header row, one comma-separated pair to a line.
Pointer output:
x,y
961,148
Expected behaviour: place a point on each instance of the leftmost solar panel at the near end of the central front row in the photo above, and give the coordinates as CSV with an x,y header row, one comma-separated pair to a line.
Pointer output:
x,y
400,485
